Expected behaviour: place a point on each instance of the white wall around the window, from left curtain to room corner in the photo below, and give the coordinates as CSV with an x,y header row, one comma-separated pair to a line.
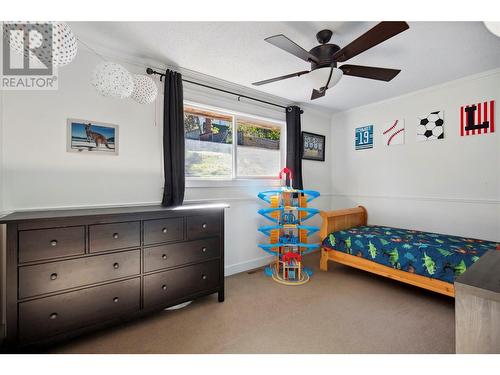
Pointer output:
x,y
242,219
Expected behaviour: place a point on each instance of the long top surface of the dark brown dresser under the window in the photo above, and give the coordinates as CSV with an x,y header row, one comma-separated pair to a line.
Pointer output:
x,y
20,216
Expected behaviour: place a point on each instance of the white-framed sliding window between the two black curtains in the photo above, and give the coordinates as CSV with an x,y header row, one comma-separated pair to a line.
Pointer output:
x,y
226,145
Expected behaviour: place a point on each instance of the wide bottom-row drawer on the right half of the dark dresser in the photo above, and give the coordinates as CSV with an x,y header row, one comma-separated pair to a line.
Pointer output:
x,y
165,287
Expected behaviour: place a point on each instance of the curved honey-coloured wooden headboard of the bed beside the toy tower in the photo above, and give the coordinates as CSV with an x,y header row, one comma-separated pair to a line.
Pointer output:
x,y
342,219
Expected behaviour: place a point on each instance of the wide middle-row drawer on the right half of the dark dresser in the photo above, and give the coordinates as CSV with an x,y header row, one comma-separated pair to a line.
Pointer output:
x,y
158,257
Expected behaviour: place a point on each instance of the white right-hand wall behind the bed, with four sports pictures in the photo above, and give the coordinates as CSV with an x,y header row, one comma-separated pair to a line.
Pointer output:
x,y
449,186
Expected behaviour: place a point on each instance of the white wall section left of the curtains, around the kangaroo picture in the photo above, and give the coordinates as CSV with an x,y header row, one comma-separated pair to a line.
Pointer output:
x,y
38,170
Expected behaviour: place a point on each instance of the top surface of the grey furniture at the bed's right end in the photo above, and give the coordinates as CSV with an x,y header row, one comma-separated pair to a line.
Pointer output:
x,y
484,274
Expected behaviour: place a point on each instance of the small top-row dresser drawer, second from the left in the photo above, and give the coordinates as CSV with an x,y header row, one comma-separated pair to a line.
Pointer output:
x,y
114,236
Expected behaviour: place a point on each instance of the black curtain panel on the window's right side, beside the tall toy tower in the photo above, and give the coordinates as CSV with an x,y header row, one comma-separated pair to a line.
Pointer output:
x,y
294,145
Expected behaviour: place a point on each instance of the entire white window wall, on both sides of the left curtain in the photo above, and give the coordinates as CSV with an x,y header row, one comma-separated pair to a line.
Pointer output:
x,y
39,173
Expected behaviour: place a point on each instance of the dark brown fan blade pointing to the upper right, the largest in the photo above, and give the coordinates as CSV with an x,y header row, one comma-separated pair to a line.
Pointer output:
x,y
383,31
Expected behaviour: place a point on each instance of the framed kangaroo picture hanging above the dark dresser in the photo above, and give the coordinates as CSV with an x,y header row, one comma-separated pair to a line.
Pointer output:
x,y
92,137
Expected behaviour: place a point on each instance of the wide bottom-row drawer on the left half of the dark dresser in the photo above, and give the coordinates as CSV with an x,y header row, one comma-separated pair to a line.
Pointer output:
x,y
49,316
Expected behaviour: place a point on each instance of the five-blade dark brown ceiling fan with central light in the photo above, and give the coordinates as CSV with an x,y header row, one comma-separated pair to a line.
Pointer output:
x,y
327,55
